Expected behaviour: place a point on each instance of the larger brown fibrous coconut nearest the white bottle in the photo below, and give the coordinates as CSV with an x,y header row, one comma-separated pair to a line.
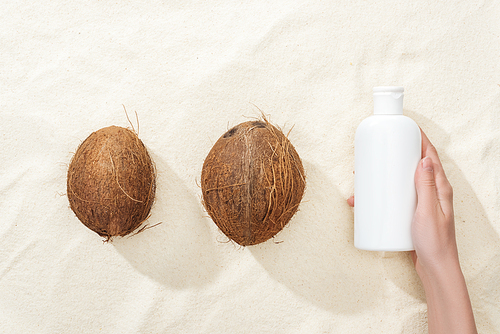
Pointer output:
x,y
252,182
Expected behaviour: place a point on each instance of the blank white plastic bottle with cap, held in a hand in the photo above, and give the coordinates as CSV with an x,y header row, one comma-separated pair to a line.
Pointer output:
x,y
387,152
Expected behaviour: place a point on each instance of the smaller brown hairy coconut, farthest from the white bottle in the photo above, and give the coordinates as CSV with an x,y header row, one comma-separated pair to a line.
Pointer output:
x,y
111,182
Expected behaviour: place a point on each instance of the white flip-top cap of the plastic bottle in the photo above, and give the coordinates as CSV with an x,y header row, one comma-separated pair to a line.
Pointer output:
x,y
388,100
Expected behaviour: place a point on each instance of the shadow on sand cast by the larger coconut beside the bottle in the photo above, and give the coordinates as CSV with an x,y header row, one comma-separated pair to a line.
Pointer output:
x,y
314,255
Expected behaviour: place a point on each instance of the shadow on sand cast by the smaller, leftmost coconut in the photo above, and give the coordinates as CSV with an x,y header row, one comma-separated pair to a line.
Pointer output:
x,y
180,251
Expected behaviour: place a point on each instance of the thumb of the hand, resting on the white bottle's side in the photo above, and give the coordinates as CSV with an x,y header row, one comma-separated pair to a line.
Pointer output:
x,y
425,184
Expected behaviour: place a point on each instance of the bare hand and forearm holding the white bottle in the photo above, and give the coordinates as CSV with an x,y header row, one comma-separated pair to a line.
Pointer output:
x,y
435,256
